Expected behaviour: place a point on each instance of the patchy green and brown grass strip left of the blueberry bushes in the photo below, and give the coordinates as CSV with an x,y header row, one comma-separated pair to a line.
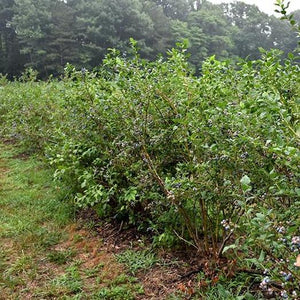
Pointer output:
x,y
43,253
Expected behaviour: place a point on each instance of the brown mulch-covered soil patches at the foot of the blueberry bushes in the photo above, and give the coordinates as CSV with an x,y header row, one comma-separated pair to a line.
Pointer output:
x,y
177,270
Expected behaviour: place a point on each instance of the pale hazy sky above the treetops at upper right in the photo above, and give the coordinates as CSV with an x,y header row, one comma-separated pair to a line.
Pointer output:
x,y
266,6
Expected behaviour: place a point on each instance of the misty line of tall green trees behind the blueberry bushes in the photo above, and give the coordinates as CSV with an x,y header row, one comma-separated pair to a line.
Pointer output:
x,y
46,34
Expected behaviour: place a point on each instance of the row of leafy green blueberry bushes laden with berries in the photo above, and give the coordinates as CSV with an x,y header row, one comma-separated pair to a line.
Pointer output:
x,y
210,161
